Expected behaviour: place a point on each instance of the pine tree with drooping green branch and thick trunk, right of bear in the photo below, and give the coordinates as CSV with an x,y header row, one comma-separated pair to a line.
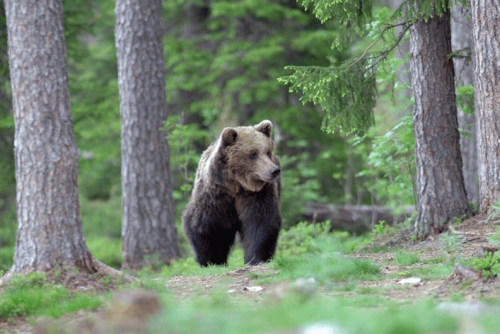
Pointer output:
x,y
347,94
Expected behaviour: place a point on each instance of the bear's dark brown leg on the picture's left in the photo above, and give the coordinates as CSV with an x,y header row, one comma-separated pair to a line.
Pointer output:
x,y
211,241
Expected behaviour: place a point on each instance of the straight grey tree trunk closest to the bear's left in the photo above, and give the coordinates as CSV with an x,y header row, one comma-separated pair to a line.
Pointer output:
x,y
148,226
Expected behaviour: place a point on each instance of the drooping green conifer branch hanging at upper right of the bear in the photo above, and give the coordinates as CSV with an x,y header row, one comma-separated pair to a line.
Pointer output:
x,y
347,92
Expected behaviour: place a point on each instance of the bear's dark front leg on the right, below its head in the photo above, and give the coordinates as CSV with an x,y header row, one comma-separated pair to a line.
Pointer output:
x,y
260,218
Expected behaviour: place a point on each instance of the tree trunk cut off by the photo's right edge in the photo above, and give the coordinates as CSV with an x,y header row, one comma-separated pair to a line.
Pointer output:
x,y
485,28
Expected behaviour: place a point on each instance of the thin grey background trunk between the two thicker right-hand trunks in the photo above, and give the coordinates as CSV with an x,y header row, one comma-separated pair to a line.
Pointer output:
x,y
461,37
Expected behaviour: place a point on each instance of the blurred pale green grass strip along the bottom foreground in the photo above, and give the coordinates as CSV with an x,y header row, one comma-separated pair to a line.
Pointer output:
x,y
219,315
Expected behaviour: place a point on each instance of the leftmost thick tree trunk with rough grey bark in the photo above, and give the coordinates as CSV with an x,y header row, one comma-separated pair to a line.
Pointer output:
x,y
48,213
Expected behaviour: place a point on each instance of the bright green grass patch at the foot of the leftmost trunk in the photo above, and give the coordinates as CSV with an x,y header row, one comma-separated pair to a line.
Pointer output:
x,y
30,295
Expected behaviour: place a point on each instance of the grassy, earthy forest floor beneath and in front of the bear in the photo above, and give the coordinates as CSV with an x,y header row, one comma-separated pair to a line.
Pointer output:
x,y
409,274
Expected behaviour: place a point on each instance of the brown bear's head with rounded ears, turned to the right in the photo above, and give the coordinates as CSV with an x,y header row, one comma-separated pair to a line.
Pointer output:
x,y
248,152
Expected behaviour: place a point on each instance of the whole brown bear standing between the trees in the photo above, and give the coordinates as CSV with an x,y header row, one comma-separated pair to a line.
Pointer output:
x,y
236,190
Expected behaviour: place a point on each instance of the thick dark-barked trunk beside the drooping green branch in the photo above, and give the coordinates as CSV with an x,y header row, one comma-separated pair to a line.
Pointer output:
x,y
440,183
